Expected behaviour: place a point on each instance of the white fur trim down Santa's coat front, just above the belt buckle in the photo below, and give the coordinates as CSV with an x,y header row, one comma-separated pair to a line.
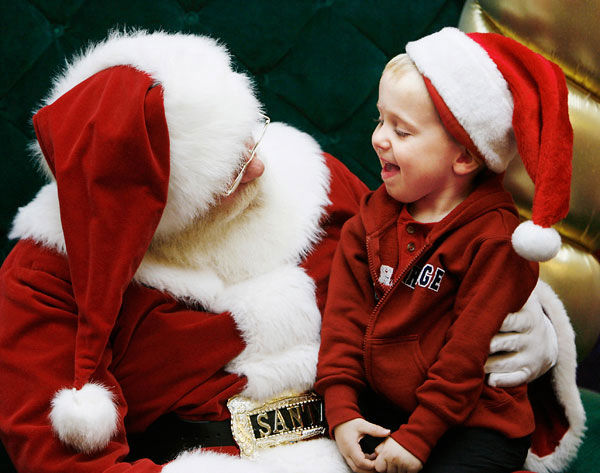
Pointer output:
x,y
280,322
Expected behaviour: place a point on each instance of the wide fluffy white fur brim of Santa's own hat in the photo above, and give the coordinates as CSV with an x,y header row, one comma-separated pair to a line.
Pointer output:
x,y
211,110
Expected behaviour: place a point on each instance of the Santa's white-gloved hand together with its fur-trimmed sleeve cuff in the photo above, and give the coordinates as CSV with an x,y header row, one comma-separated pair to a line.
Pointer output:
x,y
537,345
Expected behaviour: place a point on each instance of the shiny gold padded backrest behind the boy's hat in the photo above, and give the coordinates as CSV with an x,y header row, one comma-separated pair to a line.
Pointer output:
x,y
568,33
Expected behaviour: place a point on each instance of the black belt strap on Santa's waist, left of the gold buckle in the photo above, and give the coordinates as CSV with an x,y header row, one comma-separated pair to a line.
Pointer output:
x,y
170,435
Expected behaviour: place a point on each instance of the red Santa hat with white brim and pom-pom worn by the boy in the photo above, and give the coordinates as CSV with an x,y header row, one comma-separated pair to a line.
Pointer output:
x,y
500,99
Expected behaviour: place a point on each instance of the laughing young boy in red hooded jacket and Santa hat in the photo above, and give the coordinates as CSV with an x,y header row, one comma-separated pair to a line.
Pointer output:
x,y
424,274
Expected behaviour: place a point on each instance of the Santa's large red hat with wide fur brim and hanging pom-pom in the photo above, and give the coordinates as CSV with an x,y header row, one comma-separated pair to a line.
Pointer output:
x,y
141,133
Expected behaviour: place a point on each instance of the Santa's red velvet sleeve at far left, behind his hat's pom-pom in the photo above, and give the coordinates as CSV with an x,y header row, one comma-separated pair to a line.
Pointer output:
x,y
38,322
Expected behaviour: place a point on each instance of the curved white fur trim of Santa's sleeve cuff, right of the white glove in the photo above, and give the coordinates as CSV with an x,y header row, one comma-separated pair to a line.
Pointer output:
x,y
563,377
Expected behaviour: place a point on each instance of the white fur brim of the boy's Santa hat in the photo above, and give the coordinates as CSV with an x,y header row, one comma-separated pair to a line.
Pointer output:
x,y
473,88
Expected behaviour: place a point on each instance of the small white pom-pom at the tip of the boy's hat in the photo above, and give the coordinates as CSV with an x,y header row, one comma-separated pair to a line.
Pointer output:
x,y
534,242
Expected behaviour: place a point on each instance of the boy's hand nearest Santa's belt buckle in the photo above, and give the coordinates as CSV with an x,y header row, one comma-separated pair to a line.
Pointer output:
x,y
347,436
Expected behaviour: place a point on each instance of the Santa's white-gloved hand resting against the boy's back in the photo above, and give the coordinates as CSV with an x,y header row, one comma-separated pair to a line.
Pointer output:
x,y
525,348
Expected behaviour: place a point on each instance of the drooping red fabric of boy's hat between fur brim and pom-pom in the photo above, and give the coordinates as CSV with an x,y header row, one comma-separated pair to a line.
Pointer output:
x,y
540,121
